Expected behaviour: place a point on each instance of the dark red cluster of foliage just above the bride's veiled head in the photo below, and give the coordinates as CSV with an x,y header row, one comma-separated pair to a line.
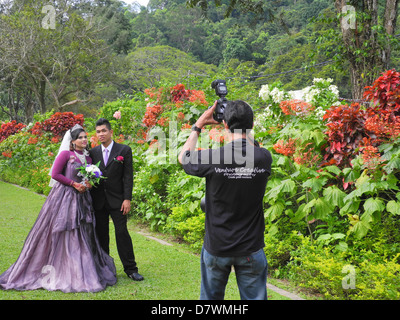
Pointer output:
x,y
58,123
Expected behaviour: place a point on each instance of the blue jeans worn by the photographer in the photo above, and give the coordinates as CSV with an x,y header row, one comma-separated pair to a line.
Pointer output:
x,y
251,275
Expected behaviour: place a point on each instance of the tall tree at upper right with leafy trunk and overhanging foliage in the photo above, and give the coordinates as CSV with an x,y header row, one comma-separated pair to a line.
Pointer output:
x,y
364,40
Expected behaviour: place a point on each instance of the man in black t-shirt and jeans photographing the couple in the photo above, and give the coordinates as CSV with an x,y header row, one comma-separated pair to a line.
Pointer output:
x,y
236,176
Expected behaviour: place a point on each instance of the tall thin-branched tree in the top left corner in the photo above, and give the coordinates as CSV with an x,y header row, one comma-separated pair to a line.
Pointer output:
x,y
53,53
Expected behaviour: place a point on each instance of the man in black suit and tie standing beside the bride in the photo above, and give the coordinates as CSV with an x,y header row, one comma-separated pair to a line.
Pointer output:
x,y
112,197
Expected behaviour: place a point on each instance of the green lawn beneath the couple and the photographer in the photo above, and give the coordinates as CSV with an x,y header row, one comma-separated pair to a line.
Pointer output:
x,y
171,272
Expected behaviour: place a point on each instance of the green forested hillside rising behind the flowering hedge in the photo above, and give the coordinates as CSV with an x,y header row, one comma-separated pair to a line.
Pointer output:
x,y
101,50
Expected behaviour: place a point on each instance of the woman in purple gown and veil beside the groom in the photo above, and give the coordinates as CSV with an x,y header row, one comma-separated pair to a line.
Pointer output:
x,y
61,251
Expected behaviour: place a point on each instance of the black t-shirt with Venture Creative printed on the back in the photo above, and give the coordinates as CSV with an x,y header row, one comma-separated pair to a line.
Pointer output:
x,y
236,177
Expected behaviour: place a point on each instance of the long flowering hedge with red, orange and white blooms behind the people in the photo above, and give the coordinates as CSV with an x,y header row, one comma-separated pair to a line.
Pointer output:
x,y
332,198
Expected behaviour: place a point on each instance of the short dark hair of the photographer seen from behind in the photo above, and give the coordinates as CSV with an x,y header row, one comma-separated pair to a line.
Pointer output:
x,y
238,115
